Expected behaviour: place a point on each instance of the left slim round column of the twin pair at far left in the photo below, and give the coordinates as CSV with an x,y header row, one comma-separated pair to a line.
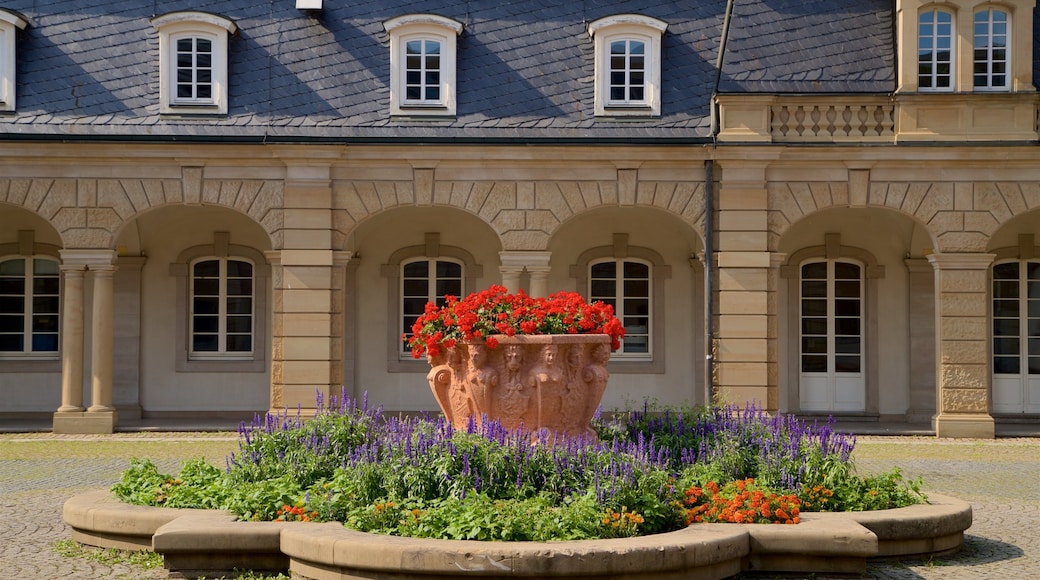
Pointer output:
x,y
72,340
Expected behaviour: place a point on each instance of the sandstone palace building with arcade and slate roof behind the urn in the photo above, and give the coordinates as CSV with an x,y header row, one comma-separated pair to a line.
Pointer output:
x,y
219,208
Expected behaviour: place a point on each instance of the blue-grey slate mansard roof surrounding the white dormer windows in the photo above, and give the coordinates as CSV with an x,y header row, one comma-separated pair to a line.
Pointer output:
x,y
526,68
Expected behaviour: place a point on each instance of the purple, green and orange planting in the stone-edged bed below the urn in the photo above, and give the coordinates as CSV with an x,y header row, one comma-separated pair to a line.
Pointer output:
x,y
648,473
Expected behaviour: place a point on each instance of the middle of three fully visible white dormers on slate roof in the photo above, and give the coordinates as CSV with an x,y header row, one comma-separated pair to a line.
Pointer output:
x,y
423,65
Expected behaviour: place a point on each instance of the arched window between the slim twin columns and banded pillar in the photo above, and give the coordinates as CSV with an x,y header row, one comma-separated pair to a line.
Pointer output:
x,y
222,309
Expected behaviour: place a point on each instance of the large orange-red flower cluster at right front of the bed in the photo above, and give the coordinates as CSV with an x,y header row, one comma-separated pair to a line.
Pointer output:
x,y
740,503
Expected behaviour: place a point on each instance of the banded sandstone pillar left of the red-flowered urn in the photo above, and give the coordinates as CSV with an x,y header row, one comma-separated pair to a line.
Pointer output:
x,y
305,314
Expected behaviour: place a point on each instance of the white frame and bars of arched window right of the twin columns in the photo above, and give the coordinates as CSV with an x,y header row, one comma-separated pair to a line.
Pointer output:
x,y
222,354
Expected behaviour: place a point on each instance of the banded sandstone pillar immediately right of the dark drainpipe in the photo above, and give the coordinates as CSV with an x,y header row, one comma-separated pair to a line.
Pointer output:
x,y
746,339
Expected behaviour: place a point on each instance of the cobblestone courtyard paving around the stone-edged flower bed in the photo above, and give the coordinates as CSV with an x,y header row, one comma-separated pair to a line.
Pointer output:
x,y
999,478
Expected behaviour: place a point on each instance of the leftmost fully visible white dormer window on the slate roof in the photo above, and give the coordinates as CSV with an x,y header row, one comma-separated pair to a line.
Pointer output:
x,y
194,63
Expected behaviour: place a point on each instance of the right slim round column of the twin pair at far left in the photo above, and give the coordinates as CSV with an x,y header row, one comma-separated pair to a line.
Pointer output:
x,y
101,341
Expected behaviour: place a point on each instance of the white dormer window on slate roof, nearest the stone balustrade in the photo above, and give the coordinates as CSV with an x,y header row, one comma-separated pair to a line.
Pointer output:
x,y
628,65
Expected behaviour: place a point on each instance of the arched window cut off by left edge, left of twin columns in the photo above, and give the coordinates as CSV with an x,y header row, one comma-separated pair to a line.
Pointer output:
x,y
30,307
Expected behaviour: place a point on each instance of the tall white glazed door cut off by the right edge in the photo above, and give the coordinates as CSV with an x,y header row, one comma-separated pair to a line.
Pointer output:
x,y
1017,336
